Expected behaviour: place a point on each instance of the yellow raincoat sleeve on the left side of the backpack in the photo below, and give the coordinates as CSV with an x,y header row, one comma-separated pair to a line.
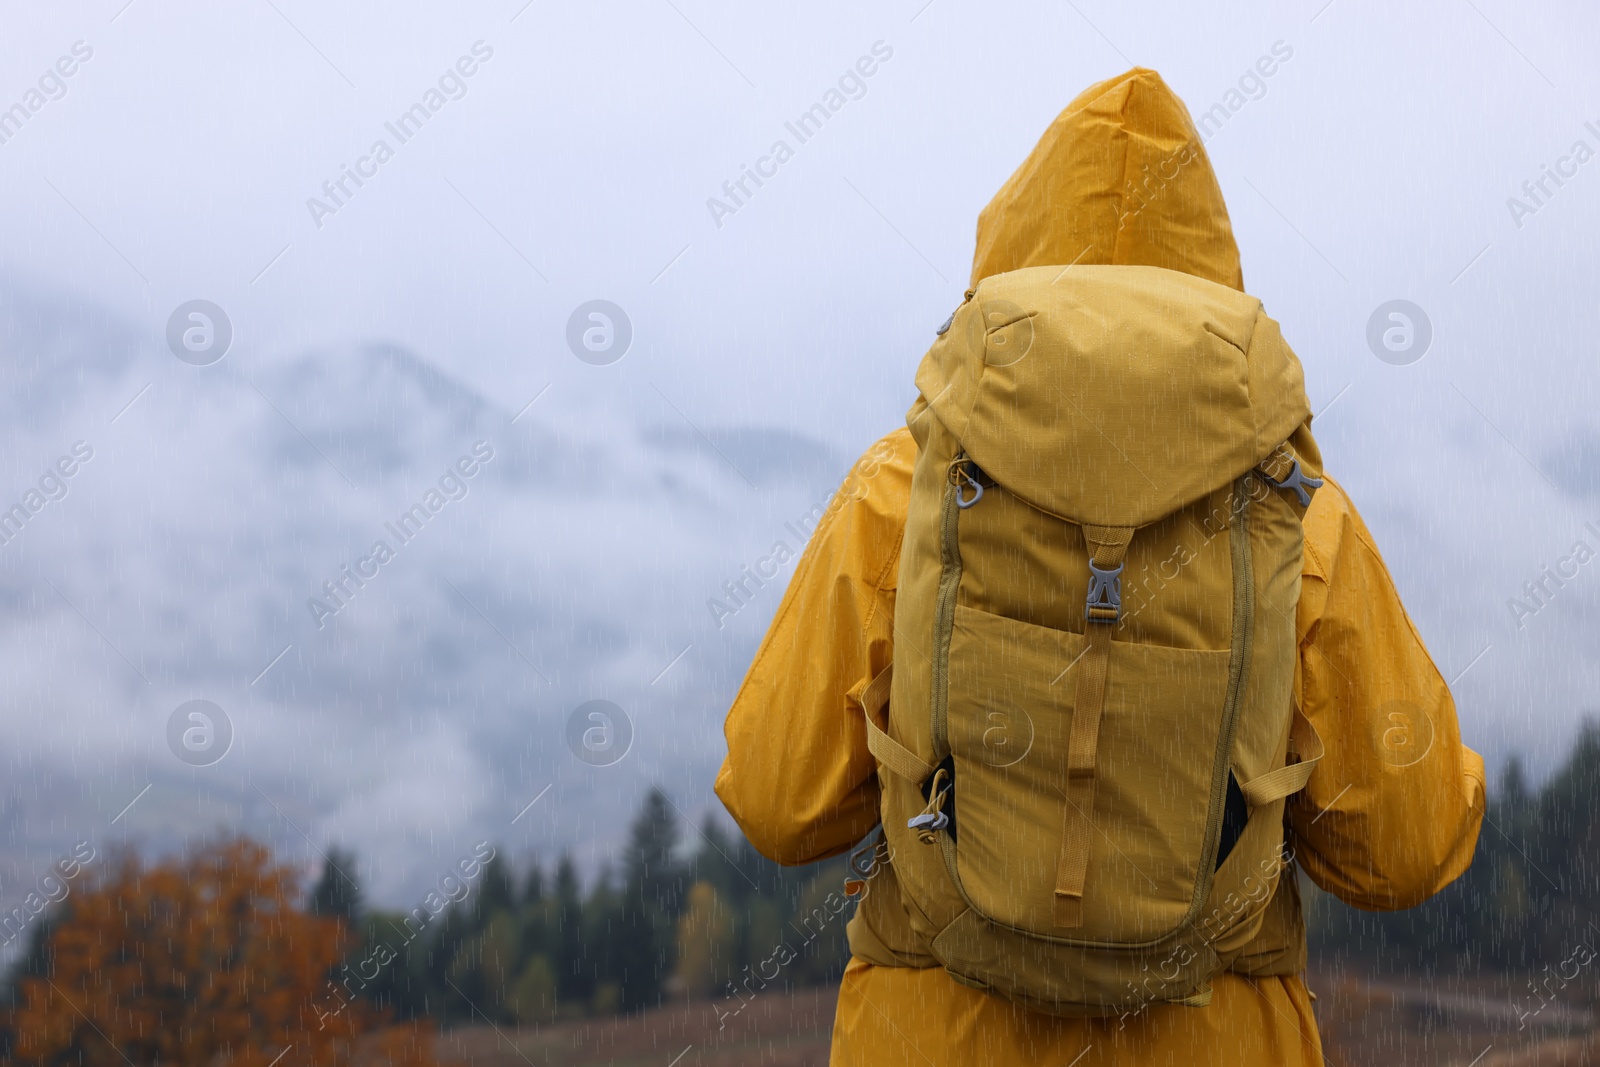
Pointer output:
x,y
799,778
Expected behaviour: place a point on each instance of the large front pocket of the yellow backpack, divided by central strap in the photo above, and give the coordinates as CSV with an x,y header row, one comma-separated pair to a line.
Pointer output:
x,y
1010,714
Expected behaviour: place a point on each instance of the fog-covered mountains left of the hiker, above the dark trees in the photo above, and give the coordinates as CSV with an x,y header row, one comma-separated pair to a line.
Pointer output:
x,y
430,708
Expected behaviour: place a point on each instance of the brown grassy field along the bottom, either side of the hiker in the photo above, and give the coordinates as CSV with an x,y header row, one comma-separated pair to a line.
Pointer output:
x,y
1364,1025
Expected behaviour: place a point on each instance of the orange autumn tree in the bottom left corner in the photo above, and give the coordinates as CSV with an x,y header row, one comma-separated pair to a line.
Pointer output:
x,y
199,961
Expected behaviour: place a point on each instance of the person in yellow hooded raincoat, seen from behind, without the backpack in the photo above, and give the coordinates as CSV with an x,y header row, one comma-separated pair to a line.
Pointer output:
x,y
1390,817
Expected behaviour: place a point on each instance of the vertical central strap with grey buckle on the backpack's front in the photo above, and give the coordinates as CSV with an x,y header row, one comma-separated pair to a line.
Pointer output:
x,y
1108,545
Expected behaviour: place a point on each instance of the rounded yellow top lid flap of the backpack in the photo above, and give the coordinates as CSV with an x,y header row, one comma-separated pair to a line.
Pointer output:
x,y
1113,394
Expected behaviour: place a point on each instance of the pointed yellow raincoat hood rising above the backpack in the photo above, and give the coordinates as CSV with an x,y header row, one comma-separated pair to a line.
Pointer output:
x,y
1119,178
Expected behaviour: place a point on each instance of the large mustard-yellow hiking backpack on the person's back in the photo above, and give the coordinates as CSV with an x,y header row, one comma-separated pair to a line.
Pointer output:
x,y
1090,727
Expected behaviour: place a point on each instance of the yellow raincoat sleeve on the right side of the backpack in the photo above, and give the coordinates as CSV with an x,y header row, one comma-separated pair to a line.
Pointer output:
x,y
1393,813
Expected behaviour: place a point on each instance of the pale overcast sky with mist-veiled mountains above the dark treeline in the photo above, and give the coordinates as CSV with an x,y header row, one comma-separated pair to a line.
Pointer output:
x,y
382,337
